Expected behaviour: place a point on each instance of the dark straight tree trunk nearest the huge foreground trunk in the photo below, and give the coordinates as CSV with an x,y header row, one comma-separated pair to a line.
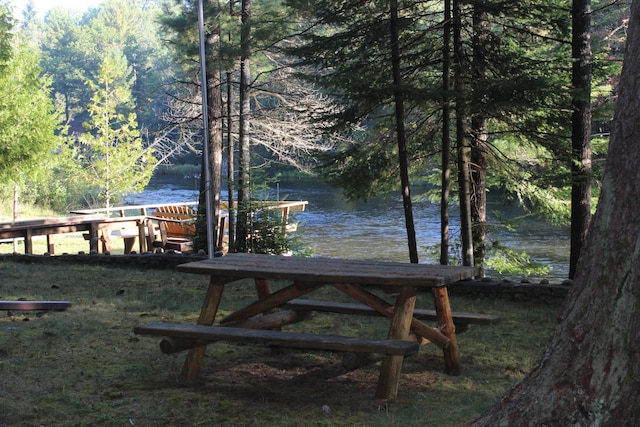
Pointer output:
x,y
581,130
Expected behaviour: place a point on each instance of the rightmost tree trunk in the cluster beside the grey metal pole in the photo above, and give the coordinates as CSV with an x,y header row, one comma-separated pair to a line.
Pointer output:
x,y
242,229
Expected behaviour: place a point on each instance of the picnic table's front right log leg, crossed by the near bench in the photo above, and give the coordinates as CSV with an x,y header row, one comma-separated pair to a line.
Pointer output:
x,y
399,330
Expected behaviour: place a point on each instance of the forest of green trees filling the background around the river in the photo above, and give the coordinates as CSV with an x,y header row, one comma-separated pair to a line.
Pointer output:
x,y
372,97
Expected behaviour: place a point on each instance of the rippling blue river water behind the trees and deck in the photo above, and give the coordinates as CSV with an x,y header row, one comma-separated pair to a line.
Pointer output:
x,y
335,227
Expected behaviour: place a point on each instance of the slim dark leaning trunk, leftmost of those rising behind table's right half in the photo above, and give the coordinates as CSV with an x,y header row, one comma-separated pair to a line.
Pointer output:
x,y
401,134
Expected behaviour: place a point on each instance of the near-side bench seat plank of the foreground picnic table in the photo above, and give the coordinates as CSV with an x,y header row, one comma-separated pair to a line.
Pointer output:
x,y
279,338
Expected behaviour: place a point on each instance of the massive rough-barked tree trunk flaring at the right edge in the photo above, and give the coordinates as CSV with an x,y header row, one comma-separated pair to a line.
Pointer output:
x,y
590,370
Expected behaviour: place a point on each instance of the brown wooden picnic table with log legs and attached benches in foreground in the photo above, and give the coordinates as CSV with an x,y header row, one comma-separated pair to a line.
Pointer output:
x,y
355,278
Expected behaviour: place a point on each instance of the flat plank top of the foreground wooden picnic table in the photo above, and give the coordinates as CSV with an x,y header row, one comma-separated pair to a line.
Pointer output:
x,y
330,270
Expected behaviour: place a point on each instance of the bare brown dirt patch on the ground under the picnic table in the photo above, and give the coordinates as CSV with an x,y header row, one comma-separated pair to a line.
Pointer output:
x,y
317,381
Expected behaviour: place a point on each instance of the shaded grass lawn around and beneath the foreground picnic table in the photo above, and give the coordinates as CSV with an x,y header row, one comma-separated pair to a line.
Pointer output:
x,y
83,366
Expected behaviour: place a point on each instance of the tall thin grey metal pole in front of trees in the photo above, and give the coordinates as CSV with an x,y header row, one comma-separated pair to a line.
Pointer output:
x,y
205,139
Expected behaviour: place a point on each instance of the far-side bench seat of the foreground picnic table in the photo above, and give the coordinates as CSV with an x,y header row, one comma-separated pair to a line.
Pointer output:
x,y
459,318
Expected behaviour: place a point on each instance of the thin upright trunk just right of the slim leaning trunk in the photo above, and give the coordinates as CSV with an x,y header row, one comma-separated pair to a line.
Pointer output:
x,y
446,136
